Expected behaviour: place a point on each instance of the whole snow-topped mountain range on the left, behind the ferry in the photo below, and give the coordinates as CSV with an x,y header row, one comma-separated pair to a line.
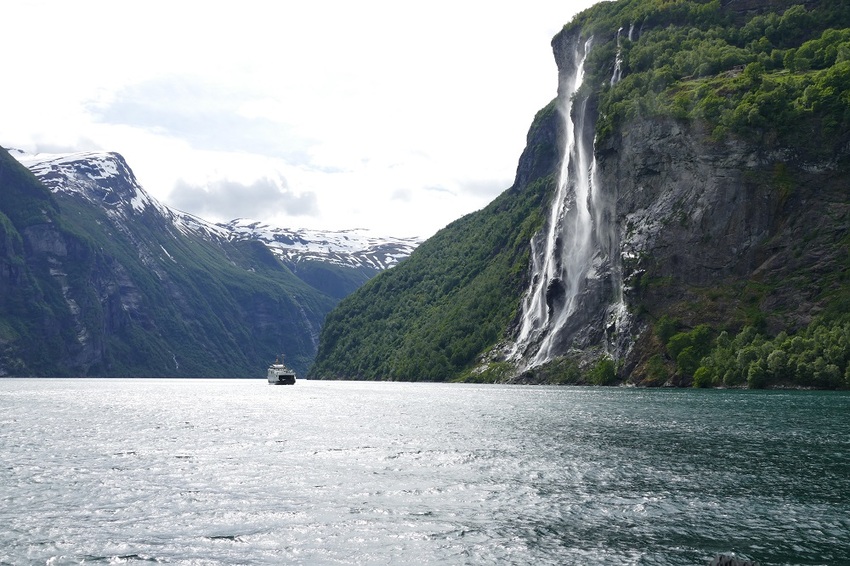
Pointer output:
x,y
100,279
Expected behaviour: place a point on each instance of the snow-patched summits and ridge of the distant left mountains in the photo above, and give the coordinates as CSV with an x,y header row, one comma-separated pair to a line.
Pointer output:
x,y
105,179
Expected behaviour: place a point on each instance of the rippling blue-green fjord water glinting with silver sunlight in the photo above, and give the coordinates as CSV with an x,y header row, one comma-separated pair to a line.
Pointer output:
x,y
239,472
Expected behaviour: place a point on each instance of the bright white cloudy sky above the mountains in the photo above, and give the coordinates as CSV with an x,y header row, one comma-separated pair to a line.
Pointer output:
x,y
394,116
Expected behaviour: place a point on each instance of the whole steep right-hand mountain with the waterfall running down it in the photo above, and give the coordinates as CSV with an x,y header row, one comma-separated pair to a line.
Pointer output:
x,y
679,216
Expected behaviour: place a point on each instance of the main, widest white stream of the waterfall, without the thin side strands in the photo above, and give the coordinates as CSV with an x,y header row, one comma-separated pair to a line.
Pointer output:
x,y
562,260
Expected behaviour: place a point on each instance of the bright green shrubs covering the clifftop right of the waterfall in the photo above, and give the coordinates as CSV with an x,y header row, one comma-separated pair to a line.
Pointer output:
x,y
777,76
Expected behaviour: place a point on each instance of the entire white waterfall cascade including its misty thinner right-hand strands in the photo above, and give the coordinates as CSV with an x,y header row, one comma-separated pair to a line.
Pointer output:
x,y
576,241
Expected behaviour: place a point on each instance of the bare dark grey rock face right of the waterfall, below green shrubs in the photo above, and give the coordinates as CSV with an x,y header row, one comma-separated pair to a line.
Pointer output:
x,y
713,232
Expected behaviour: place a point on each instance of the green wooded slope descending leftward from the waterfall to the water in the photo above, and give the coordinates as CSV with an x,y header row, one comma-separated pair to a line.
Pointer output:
x,y
451,299
